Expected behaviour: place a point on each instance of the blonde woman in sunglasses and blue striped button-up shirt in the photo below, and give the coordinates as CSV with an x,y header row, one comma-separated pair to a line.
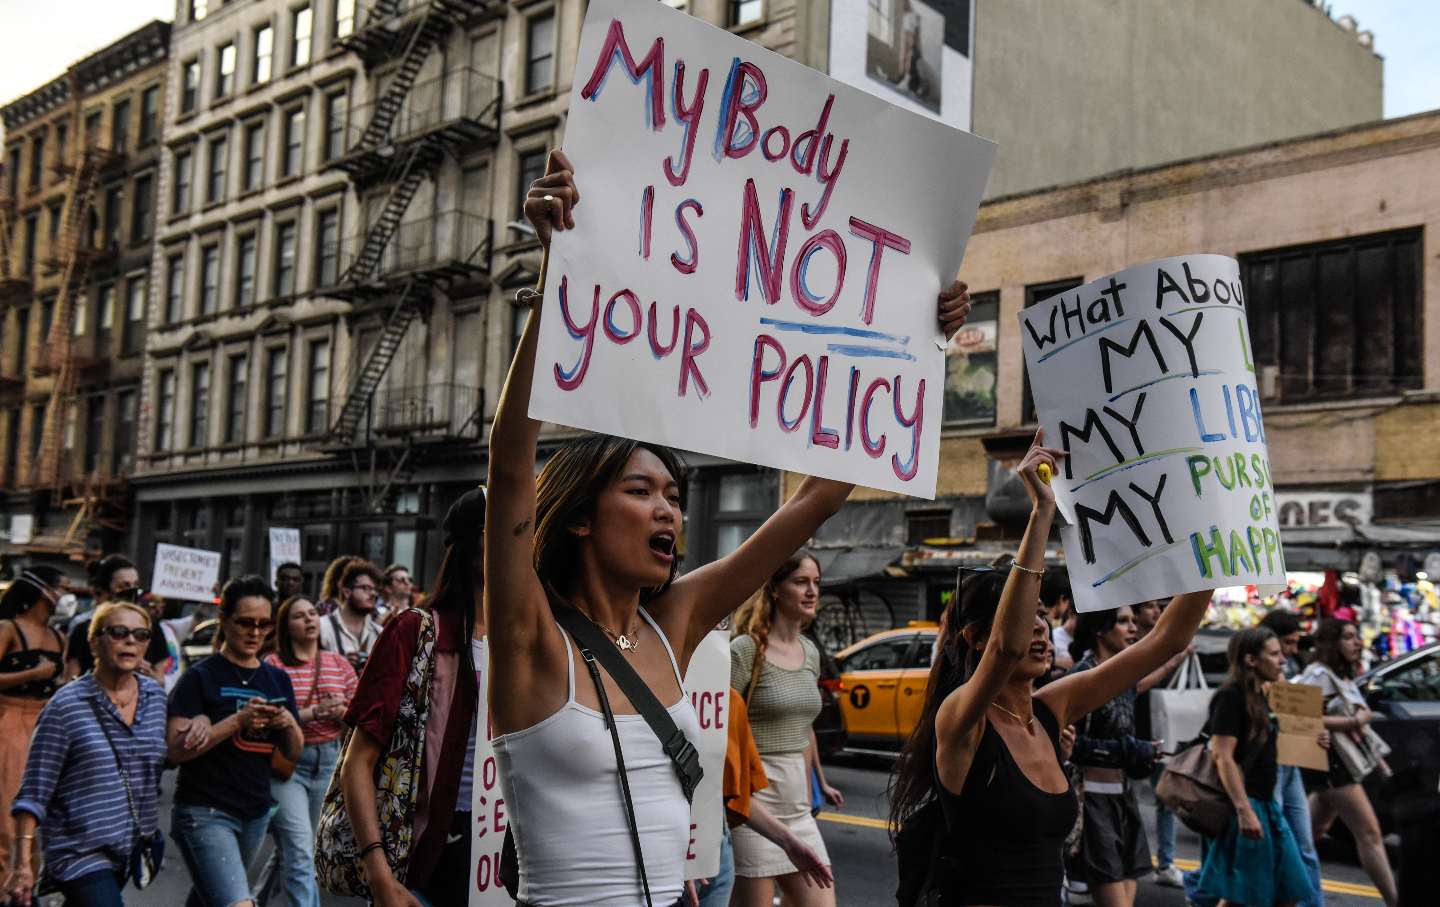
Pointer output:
x,y
109,722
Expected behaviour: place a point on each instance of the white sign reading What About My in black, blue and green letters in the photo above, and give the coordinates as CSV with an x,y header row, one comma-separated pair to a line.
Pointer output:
x,y
1147,379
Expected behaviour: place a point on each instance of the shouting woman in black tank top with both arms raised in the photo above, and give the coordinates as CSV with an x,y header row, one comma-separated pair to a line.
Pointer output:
x,y
989,746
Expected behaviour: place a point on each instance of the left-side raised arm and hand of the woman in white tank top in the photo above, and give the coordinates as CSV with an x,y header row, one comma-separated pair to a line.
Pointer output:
x,y
518,614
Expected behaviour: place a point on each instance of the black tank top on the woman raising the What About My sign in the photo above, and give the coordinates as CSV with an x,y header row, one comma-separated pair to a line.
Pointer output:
x,y
1007,834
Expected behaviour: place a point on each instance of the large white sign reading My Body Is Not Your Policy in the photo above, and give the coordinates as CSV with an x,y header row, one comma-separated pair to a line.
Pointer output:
x,y
757,257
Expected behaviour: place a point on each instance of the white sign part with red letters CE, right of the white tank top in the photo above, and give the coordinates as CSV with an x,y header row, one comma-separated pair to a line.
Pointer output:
x,y
708,683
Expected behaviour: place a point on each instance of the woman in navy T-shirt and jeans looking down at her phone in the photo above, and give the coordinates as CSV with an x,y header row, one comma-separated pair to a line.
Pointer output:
x,y
222,798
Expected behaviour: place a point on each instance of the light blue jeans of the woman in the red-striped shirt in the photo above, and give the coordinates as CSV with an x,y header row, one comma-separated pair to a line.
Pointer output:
x,y
293,824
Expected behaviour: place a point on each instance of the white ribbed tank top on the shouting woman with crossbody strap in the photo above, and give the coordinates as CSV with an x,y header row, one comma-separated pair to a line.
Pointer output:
x,y
564,797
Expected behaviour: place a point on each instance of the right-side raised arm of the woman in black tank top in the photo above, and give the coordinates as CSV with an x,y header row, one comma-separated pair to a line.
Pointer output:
x,y
1079,695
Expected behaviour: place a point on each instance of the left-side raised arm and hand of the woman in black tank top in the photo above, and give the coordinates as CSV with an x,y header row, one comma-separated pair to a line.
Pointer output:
x,y
1014,627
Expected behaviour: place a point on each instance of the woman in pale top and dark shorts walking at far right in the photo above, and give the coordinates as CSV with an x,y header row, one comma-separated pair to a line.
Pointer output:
x,y
1340,793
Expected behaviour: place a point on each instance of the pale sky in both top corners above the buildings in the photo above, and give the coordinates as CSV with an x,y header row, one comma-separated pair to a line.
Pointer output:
x,y
41,38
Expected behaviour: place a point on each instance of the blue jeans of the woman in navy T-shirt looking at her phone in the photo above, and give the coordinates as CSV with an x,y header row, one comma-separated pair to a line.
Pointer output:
x,y
217,849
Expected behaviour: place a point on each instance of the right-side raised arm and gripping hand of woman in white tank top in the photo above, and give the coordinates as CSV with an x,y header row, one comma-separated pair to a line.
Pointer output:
x,y
702,600
